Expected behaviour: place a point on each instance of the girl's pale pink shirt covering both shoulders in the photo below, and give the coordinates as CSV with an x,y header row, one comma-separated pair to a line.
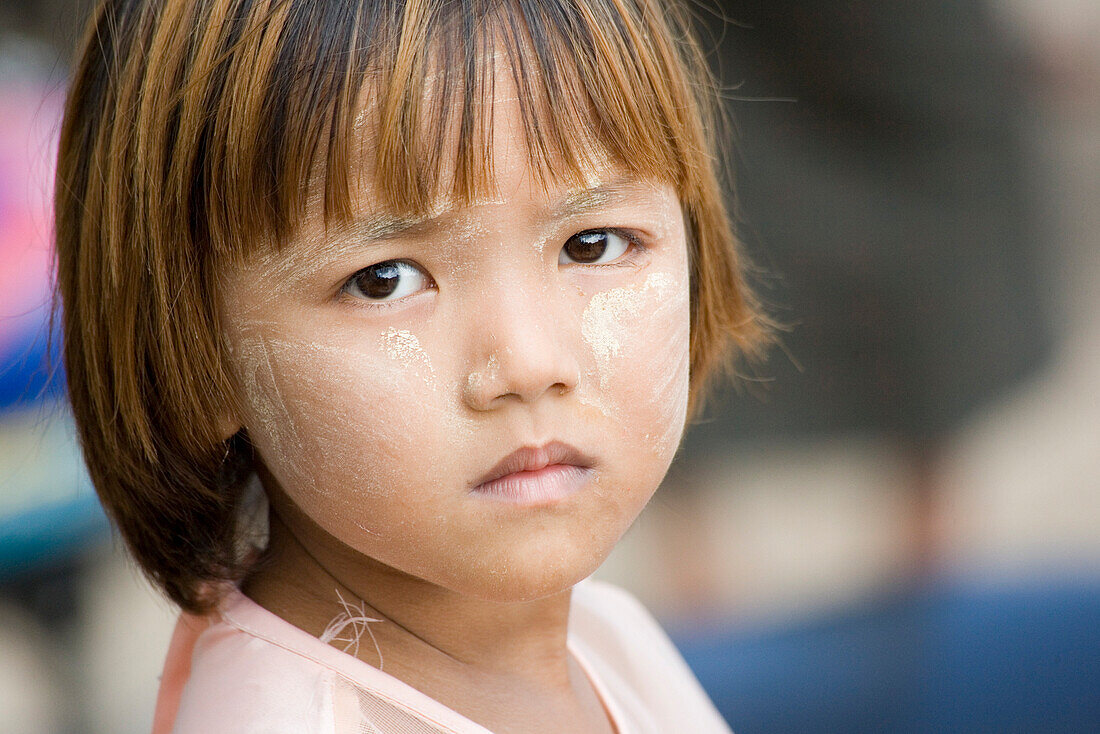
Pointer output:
x,y
249,672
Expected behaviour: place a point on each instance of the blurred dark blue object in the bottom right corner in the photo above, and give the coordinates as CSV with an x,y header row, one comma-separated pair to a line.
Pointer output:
x,y
955,656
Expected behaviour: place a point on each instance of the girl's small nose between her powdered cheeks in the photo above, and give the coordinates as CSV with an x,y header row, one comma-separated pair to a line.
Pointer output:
x,y
523,349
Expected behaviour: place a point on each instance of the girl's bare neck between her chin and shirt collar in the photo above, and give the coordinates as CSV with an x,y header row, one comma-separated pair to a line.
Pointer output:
x,y
425,633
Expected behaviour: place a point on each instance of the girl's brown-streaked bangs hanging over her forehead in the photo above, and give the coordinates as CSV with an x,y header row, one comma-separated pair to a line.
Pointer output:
x,y
281,94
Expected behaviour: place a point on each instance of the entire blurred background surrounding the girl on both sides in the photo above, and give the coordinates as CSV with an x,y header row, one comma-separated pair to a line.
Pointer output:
x,y
892,525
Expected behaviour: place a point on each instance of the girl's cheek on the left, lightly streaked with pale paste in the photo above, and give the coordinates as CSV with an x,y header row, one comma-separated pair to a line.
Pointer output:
x,y
337,424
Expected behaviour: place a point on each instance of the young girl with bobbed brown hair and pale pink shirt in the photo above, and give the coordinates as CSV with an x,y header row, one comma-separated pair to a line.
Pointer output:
x,y
383,321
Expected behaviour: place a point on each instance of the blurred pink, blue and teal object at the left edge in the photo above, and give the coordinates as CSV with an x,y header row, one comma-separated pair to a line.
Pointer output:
x,y
49,512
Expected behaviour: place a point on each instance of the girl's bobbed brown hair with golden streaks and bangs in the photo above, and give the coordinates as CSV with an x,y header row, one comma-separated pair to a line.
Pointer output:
x,y
193,132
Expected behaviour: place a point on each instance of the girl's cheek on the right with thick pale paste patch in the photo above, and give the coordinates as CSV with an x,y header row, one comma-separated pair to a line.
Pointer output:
x,y
639,339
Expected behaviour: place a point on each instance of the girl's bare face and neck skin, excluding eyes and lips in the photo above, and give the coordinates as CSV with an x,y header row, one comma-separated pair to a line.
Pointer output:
x,y
372,423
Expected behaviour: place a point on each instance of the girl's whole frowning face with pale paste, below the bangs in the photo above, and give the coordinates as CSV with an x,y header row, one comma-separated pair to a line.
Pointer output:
x,y
389,367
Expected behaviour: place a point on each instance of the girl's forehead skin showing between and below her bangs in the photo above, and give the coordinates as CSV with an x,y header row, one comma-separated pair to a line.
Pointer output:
x,y
509,172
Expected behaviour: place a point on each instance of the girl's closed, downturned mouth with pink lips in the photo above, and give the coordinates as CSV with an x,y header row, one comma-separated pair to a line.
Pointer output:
x,y
534,476
